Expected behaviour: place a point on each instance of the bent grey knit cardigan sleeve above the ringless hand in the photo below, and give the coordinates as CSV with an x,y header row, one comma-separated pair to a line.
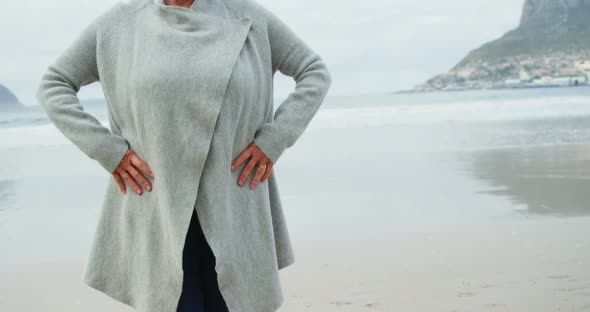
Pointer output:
x,y
57,93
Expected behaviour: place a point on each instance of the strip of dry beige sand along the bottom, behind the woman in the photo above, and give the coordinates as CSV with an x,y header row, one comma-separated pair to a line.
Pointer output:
x,y
532,266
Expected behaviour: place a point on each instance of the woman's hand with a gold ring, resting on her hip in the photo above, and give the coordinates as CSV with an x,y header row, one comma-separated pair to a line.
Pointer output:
x,y
258,161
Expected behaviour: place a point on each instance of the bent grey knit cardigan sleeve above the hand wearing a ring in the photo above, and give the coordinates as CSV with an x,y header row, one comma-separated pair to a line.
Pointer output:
x,y
292,57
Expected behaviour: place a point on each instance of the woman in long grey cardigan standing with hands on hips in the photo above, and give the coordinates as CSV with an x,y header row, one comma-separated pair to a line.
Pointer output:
x,y
194,134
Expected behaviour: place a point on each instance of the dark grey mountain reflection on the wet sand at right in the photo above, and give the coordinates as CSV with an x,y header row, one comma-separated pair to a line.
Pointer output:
x,y
548,179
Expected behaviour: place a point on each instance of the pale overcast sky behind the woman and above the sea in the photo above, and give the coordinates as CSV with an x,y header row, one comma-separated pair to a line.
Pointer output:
x,y
369,46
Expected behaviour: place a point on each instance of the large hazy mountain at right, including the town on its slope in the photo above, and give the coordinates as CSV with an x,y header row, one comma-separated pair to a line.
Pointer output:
x,y
549,47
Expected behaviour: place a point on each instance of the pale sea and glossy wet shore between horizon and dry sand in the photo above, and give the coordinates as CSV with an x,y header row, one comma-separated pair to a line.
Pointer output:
x,y
370,165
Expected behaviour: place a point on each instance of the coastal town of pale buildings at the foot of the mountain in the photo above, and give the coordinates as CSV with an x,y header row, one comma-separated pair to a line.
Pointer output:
x,y
522,71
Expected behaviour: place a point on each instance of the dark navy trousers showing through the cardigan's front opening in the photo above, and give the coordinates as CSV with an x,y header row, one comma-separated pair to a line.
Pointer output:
x,y
200,291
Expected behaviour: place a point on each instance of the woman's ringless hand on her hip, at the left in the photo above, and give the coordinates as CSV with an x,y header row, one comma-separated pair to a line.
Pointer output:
x,y
128,170
